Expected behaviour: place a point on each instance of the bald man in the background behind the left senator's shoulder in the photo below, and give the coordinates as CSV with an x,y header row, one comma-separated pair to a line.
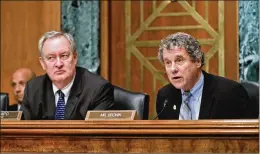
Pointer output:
x,y
19,80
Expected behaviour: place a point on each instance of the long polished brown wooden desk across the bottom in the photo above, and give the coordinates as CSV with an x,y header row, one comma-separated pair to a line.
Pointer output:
x,y
131,136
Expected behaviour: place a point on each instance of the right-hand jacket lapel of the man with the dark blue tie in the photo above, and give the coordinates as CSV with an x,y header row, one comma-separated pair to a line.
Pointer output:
x,y
74,94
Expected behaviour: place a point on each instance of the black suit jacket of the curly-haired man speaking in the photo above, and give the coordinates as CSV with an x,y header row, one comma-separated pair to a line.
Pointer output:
x,y
221,99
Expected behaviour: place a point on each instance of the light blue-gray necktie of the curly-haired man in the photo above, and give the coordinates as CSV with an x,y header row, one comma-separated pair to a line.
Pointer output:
x,y
185,111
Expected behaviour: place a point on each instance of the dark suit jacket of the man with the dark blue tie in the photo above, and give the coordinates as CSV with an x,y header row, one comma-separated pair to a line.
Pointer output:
x,y
88,92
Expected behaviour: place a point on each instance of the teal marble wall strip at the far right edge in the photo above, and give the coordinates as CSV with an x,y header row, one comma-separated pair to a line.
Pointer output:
x,y
249,40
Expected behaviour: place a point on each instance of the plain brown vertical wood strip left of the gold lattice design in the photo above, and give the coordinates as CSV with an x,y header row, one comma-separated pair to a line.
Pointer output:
x,y
117,43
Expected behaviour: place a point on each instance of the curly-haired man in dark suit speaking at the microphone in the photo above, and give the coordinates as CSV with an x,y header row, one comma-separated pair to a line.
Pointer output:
x,y
192,93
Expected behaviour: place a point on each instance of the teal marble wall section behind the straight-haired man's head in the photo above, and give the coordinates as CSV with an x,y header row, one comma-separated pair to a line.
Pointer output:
x,y
81,19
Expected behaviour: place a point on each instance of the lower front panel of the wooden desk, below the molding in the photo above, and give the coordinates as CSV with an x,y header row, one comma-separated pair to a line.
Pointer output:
x,y
129,144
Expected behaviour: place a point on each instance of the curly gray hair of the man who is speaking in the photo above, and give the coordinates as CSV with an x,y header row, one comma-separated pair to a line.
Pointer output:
x,y
183,40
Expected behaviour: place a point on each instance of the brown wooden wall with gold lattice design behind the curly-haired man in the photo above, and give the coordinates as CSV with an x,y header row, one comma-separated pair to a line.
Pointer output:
x,y
138,26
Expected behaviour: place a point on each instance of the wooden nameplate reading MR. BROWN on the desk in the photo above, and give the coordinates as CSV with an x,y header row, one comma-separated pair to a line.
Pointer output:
x,y
112,115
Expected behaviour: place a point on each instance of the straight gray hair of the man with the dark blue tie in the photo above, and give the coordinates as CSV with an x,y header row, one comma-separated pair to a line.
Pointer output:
x,y
54,34
